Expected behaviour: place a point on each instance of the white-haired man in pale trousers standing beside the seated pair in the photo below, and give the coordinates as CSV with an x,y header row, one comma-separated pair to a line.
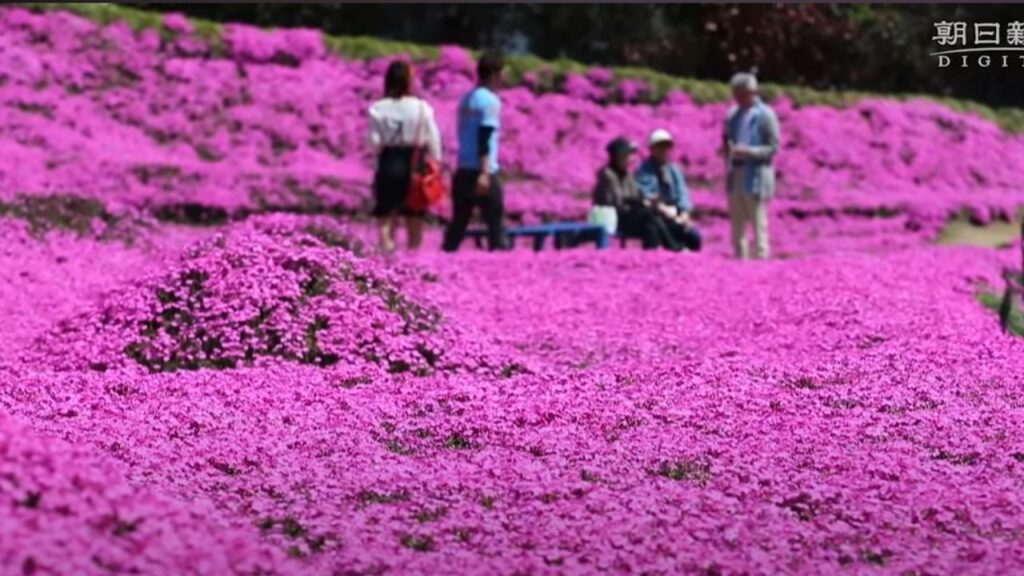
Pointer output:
x,y
751,137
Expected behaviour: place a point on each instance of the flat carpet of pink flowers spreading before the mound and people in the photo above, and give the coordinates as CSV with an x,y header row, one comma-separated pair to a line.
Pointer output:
x,y
865,421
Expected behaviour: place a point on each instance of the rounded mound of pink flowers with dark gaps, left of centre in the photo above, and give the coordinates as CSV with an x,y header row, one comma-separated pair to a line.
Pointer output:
x,y
271,290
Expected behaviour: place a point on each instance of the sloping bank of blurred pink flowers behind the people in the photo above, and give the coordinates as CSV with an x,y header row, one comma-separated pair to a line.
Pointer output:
x,y
277,125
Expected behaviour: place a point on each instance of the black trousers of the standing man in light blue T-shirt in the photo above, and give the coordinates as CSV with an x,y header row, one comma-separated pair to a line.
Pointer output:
x,y
465,199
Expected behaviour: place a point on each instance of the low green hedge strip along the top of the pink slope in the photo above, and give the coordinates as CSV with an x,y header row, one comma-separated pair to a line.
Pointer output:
x,y
359,48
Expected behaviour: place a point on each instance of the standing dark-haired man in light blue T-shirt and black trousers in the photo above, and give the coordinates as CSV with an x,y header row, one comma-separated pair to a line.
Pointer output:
x,y
477,183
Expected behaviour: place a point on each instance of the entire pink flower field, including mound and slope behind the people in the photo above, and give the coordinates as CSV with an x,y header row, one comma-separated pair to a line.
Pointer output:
x,y
205,367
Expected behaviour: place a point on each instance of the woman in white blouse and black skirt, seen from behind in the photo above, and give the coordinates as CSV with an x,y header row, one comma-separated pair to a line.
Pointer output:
x,y
401,125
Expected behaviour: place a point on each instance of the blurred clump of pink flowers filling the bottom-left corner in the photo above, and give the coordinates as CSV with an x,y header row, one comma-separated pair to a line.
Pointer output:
x,y
68,511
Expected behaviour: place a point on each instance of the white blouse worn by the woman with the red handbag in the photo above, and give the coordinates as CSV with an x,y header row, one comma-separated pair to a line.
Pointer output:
x,y
406,121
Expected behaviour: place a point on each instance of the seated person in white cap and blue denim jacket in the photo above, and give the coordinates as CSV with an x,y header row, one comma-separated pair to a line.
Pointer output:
x,y
662,184
